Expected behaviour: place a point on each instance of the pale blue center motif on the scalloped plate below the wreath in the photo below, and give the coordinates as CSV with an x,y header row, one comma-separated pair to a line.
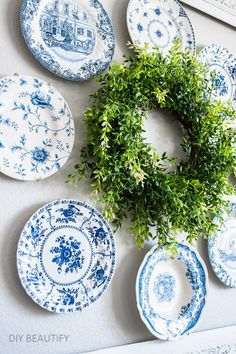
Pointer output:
x,y
164,287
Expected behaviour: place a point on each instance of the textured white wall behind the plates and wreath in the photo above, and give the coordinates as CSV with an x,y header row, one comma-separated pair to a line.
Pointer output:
x,y
114,319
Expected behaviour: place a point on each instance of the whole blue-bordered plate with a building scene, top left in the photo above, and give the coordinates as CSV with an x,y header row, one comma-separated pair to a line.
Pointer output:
x,y
72,38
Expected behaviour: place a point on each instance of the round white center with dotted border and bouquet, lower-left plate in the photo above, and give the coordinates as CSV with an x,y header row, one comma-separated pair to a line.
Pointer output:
x,y
66,255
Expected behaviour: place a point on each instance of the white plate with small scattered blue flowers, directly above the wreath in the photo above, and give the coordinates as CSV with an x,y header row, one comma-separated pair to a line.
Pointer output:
x,y
158,23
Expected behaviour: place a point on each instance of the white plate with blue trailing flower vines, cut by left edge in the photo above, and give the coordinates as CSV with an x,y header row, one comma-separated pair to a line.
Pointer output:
x,y
36,128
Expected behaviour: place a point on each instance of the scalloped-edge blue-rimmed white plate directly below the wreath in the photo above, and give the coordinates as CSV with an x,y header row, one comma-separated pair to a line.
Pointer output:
x,y
171,292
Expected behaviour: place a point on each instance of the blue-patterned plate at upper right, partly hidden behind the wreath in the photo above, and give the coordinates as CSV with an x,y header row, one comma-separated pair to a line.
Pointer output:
x,y
222,63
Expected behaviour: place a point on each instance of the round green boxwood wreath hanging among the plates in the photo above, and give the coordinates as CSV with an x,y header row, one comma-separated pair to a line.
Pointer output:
x,y
129,175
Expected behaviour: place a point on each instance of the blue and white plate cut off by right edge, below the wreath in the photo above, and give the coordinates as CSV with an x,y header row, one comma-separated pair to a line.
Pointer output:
x,y
222,248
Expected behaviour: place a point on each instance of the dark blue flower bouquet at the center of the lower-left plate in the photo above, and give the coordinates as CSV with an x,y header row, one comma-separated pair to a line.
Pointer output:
x,y
68,255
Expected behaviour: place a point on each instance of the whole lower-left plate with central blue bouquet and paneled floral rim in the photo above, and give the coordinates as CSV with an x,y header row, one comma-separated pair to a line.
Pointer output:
x,y
66,256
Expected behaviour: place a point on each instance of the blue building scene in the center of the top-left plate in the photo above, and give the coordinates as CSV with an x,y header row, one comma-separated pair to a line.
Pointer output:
x,y
66,27
